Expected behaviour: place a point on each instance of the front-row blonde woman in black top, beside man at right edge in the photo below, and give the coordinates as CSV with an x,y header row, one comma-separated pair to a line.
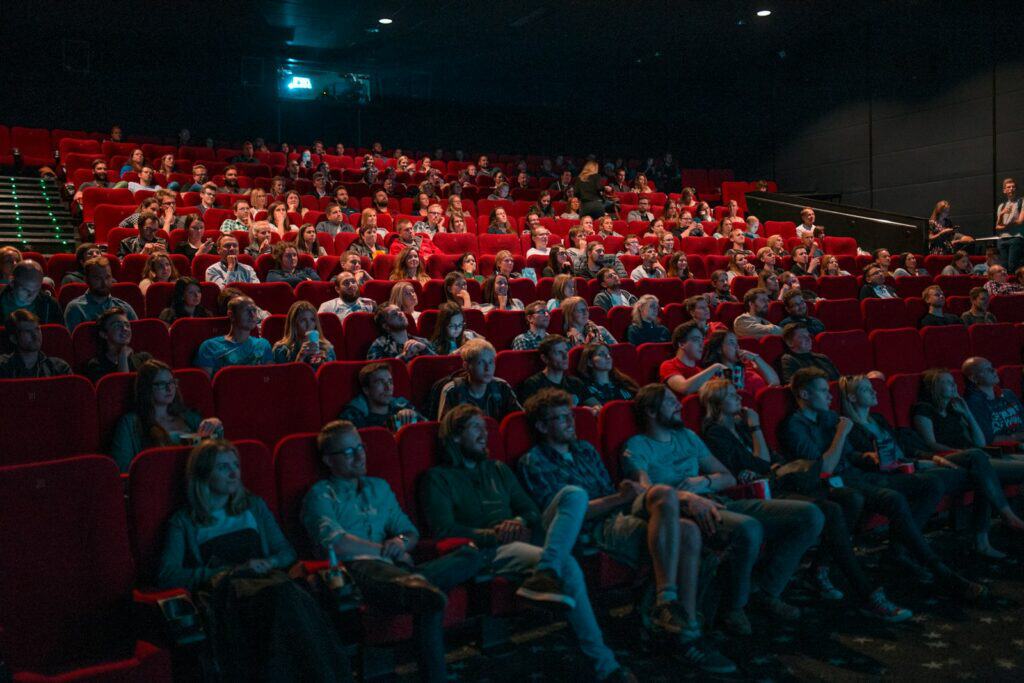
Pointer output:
x,y
953,439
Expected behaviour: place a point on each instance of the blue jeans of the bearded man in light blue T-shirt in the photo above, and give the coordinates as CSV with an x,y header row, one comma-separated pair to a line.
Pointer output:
x,y
787,528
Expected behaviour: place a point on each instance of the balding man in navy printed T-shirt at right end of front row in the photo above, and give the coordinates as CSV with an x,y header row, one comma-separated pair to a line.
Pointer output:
x,y
997,410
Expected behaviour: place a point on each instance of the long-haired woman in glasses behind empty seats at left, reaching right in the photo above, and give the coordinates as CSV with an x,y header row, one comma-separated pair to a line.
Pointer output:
x,y
159,417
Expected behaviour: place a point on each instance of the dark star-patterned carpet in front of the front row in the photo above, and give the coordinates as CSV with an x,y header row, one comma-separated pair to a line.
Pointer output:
x,y
832,643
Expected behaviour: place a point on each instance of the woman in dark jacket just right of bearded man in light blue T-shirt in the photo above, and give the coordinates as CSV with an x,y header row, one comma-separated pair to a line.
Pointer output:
x,y
734,436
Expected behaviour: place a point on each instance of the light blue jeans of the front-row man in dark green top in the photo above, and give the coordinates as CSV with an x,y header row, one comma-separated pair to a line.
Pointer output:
x,y
563,521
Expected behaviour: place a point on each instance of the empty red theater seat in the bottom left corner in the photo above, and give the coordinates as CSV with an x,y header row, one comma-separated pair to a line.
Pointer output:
x,y
68,576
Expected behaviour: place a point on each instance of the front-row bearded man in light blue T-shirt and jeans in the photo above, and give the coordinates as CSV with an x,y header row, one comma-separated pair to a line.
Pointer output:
x,y
667,453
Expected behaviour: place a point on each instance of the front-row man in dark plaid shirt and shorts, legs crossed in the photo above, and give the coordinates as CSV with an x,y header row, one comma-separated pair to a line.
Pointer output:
x,y
627,523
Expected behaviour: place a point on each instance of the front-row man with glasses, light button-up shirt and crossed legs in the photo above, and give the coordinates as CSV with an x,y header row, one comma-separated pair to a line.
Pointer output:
x,y
357,520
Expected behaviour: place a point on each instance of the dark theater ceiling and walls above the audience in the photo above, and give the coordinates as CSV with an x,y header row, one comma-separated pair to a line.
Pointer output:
x,y
894,105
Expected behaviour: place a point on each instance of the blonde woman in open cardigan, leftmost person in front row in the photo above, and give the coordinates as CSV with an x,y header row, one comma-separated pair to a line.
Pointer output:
x,y
226,543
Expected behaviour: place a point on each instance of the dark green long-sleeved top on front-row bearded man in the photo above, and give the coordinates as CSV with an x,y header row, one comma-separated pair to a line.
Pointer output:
x,y
470,502
